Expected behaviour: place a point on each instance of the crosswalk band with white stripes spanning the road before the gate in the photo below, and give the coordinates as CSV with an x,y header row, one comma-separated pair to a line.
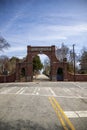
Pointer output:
x,y
44,91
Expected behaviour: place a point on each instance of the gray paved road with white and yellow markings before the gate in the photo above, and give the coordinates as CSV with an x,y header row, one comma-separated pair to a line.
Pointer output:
x,y
43,106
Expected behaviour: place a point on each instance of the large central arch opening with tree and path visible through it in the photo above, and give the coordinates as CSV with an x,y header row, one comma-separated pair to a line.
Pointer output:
x,y
42,74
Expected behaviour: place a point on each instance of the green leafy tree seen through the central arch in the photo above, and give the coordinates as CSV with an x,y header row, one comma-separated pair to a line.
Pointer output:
x,y
37,65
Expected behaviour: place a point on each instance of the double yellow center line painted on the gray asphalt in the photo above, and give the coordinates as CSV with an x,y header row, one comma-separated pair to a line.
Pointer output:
x,y
67,125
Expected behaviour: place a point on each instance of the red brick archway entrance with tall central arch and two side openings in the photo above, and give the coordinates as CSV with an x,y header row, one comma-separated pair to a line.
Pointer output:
x,y
32,51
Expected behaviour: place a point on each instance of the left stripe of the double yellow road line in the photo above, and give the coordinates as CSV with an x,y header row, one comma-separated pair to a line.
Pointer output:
x,y
58,114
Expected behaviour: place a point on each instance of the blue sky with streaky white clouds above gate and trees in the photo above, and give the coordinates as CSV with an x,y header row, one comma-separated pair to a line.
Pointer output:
x,y
43,23
